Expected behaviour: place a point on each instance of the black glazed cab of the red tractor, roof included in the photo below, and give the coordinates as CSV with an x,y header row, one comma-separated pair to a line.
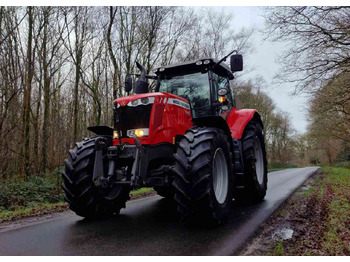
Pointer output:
x,y
198,82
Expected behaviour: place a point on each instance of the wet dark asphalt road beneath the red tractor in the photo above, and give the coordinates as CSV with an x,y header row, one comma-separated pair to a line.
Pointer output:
x,y
151,226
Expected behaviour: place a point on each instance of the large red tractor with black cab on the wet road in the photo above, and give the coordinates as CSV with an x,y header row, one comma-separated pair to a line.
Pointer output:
x,y
186,140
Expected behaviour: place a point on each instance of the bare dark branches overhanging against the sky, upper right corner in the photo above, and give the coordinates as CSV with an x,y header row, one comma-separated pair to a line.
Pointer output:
x,y
319,43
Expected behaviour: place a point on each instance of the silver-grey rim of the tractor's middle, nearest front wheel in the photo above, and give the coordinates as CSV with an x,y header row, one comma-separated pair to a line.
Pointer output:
x,y
220,176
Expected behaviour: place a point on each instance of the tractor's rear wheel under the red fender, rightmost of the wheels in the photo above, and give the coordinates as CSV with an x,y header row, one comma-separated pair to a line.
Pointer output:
x,y
255,165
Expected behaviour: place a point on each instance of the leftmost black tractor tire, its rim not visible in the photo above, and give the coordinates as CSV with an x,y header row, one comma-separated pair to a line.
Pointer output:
x,y
84,198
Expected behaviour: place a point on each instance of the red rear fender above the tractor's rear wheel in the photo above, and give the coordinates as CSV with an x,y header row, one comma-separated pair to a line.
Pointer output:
x,y
238,120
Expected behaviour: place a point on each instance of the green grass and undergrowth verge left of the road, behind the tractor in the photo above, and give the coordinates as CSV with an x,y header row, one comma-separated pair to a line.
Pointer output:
x,y
39,195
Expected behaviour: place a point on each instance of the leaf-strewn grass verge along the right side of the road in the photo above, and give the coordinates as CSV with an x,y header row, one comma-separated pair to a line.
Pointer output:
x,y
319,215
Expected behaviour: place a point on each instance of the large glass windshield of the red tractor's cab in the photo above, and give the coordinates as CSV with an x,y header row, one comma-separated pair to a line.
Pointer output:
x,y
193,87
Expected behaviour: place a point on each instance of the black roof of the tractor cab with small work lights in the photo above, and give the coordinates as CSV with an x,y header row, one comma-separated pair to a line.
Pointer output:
x,y
193,66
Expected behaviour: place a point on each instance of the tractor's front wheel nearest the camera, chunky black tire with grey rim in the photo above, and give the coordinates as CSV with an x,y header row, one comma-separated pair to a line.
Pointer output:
x,y
203,175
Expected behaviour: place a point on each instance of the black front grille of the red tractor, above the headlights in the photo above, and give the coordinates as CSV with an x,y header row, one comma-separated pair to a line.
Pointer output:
x,y
132,118
